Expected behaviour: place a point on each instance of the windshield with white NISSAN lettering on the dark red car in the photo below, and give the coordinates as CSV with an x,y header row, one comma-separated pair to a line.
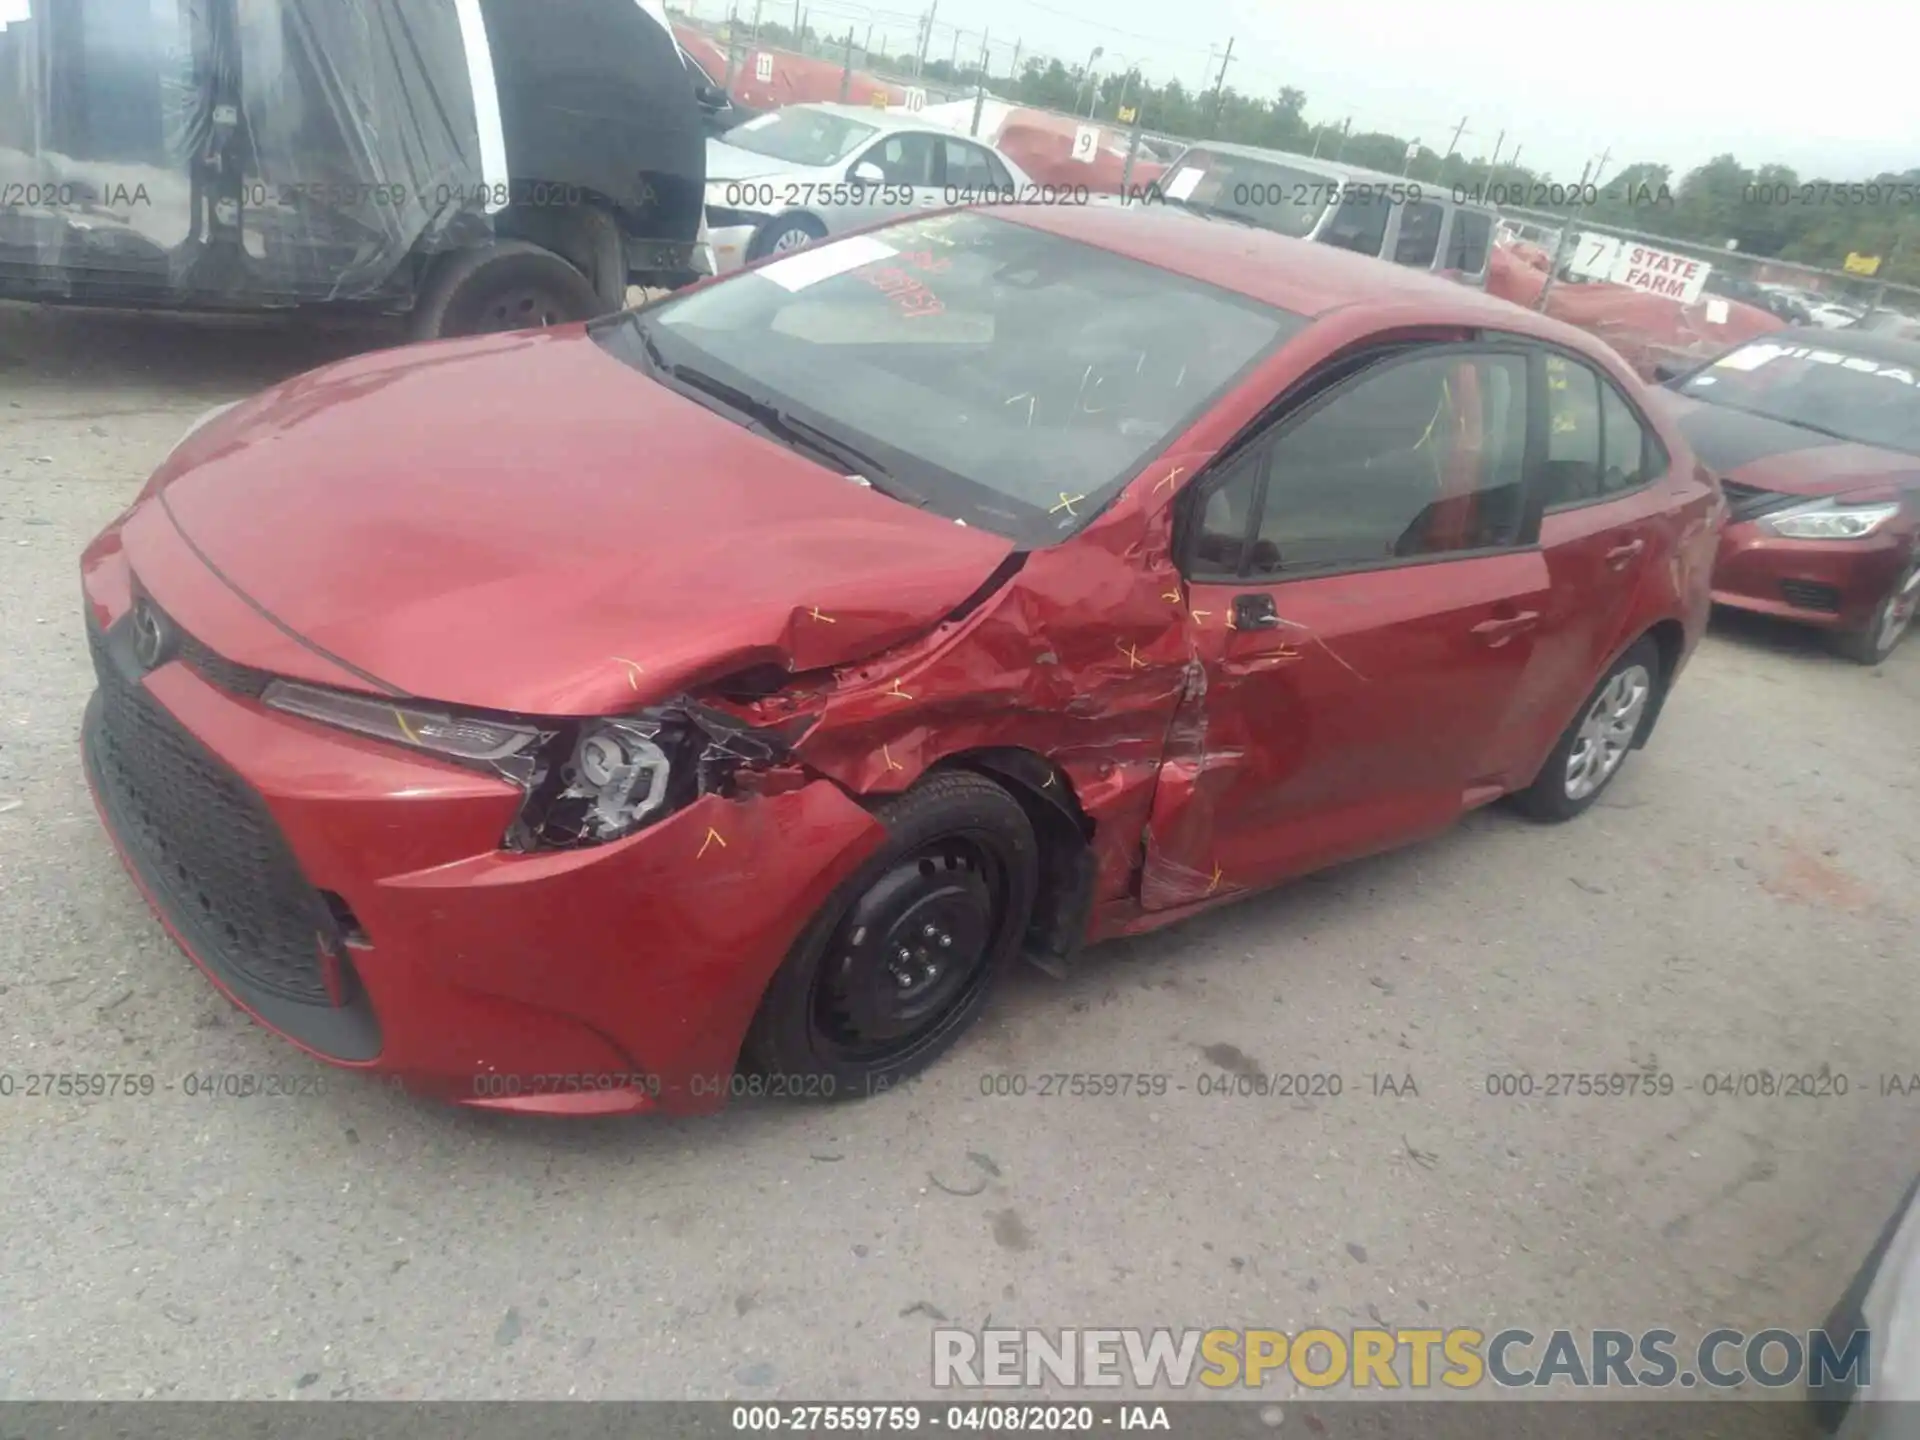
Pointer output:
x,y
1875,402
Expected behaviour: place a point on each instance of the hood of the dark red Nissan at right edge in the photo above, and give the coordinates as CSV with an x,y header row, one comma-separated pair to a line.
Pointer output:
x,y
1754,450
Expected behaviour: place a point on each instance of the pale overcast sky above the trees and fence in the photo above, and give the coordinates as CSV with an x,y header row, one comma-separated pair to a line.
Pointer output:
x,y
1677,82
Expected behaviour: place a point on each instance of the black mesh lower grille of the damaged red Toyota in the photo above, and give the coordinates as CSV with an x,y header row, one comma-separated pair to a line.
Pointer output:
x,y
204,842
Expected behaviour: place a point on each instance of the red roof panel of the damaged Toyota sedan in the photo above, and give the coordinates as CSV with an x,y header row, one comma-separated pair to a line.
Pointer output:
x,y
1303,277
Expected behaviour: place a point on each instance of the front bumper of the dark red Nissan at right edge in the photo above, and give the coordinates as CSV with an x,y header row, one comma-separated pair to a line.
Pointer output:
x,y
1835,585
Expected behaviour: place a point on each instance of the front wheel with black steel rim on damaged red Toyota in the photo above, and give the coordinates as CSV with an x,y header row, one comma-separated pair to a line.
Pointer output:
x,y
905,955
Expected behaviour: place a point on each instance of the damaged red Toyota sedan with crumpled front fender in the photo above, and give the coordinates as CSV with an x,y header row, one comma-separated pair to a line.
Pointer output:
x,y
719,698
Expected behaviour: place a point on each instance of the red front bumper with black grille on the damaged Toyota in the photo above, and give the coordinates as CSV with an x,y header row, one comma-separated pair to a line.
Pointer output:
x,y
354,898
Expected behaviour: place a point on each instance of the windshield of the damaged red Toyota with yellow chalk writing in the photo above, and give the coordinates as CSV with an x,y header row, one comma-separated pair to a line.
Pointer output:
x,y
999,375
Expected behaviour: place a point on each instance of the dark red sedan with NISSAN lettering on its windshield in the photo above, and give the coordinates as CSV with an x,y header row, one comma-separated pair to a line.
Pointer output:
x,y
1815,437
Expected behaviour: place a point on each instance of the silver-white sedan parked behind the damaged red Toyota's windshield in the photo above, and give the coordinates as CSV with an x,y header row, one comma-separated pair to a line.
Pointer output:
x,y
802,174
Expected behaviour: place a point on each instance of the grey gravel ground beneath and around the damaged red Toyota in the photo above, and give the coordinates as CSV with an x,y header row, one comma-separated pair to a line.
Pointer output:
x,y
1742,901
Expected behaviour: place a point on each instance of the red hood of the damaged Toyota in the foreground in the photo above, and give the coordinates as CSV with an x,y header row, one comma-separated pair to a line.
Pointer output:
x,y
525,523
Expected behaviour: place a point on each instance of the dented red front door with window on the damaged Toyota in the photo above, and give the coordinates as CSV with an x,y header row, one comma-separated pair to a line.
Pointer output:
x,y
1364,588
